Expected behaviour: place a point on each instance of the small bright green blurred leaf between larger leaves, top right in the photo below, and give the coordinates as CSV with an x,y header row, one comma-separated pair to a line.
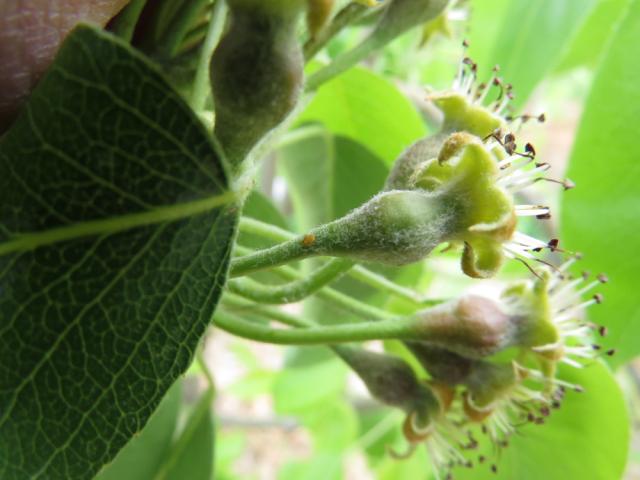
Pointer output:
x,y
592,39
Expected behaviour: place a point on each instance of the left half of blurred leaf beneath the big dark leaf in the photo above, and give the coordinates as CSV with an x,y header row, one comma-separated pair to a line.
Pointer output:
x,y
145,452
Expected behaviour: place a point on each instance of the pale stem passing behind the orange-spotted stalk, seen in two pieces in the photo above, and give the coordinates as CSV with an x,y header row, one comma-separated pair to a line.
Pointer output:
x,y
374,280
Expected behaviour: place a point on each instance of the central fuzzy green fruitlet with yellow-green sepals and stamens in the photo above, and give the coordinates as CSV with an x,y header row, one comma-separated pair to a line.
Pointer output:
x,y
461,196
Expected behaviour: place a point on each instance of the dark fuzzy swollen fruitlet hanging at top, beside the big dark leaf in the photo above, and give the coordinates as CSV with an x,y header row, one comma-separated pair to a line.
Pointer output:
x,y
256,73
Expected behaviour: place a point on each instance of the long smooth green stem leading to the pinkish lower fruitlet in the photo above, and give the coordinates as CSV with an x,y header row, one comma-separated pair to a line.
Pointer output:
x,y
397,328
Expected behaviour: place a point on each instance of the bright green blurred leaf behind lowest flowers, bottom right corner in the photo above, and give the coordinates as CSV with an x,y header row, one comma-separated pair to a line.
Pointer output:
x,y
587,438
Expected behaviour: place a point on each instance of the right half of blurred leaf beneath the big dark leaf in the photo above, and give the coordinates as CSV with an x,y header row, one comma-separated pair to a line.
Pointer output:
x,y
192,454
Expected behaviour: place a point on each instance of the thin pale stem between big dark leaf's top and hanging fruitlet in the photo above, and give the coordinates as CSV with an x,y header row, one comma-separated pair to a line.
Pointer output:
x,y
201,87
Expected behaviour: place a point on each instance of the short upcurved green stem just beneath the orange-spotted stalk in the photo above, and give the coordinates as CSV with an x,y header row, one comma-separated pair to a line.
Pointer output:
x,y
293,291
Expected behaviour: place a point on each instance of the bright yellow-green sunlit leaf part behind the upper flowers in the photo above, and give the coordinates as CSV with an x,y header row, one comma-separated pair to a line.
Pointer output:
x,y
369,109
